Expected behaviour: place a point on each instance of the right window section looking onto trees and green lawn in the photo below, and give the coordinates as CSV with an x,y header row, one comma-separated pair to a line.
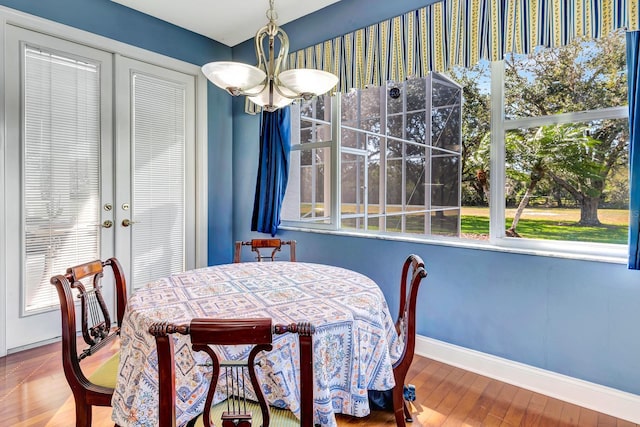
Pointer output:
x,y
566,143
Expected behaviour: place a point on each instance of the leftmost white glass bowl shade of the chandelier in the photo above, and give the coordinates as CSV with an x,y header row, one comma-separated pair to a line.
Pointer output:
x,y
234,77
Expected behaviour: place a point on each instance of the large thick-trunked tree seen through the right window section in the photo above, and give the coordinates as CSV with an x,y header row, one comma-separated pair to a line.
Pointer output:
x,y
582,76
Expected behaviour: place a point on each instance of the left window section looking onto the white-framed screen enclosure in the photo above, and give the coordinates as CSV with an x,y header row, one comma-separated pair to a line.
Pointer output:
x,y
399,159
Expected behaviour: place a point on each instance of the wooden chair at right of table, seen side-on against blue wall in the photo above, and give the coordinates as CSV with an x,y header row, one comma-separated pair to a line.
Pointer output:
x,y
412,274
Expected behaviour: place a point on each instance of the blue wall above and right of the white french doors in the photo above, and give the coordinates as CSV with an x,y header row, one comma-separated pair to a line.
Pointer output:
x,y
109,19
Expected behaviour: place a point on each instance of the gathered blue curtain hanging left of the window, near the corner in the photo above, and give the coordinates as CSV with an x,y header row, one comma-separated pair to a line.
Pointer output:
x,y
273,170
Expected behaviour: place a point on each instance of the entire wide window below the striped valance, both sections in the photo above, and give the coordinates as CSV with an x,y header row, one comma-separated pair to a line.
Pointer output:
x,y
423,157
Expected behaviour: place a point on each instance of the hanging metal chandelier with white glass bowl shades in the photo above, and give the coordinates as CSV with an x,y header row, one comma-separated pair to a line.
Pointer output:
x,y
269,84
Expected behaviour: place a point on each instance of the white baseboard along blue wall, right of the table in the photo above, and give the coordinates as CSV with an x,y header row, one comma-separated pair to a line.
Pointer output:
x,y
600,398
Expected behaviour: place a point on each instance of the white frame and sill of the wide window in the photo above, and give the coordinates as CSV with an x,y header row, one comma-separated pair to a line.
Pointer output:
x,y
498,241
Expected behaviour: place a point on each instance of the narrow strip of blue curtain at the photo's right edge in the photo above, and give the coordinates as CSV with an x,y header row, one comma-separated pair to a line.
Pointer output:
x,y
633,65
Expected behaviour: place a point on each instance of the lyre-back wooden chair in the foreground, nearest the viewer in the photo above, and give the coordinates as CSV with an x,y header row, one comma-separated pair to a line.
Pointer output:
x,y
236,411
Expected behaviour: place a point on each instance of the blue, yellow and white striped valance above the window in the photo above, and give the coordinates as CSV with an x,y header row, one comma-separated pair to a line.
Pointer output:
x,y
459,33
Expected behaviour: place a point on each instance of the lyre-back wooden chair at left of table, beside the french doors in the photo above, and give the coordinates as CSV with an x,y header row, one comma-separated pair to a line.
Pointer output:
x,y
97,332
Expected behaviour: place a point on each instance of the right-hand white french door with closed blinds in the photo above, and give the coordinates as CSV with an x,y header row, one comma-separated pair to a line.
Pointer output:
x,y
155,164
